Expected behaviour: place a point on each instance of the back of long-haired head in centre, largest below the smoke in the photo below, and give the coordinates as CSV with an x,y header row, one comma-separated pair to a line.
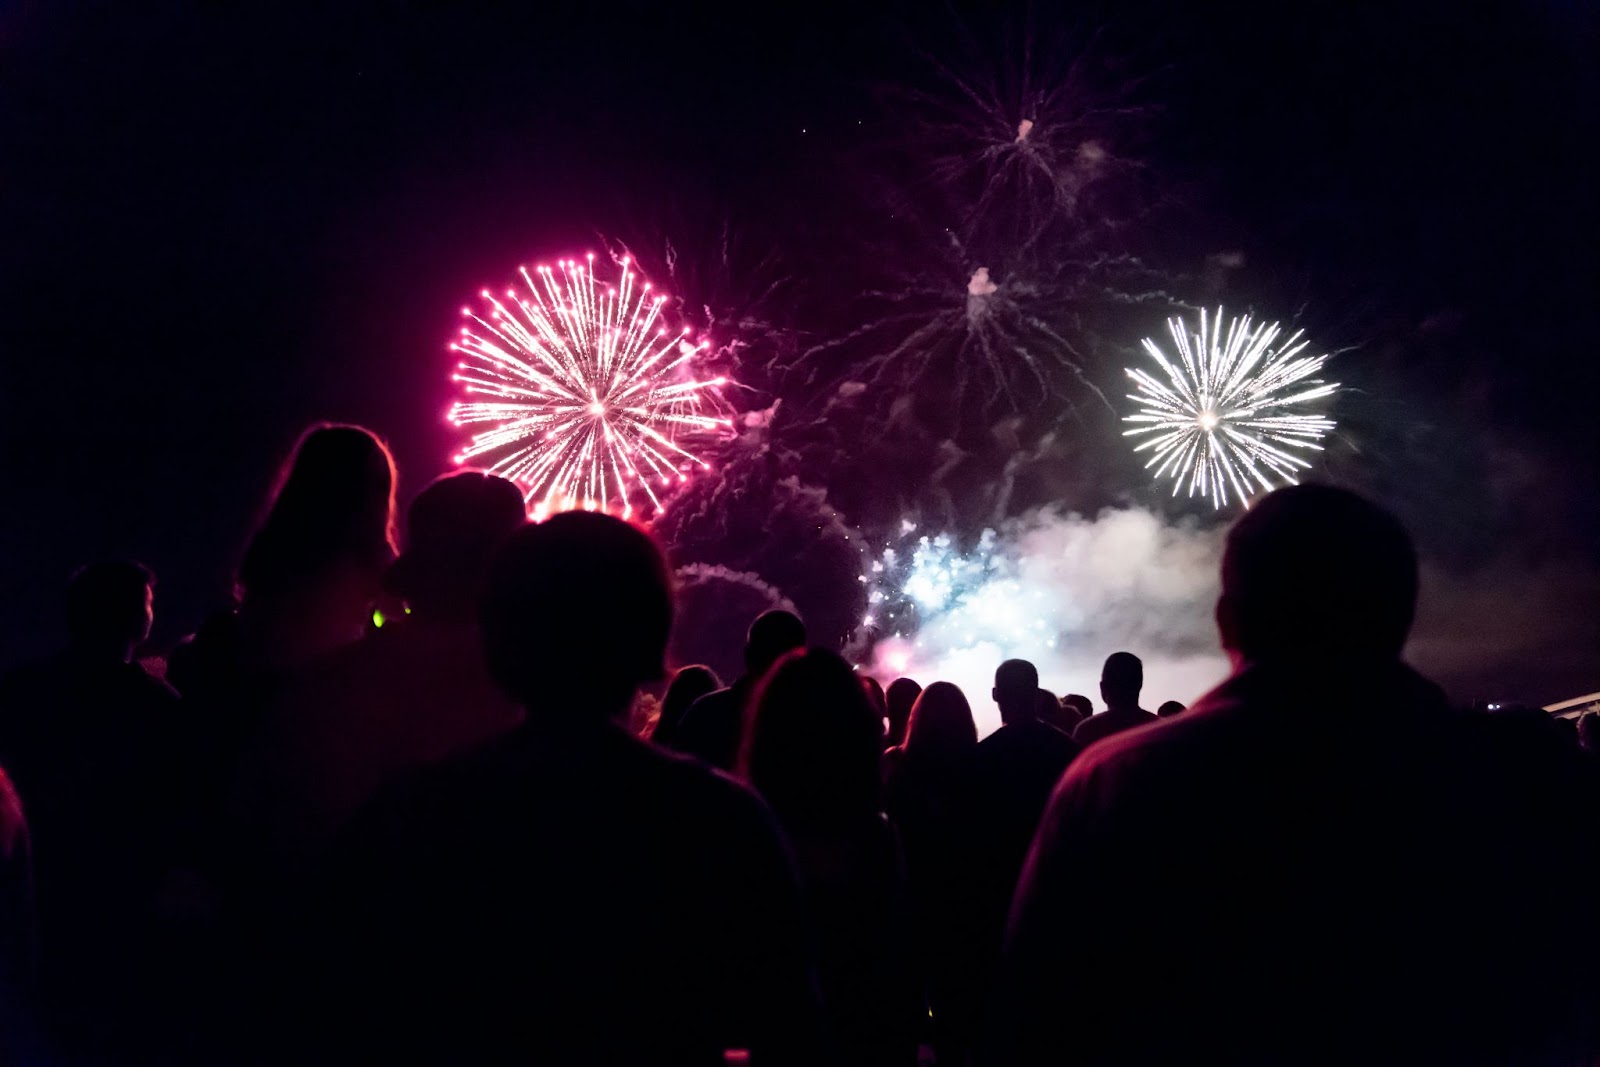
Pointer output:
x,y
814,743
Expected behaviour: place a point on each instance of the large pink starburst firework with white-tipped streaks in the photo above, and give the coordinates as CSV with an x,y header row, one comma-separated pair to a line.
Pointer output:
x,y
586,398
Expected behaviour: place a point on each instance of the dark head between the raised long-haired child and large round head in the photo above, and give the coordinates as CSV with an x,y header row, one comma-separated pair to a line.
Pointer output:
x,y
454,529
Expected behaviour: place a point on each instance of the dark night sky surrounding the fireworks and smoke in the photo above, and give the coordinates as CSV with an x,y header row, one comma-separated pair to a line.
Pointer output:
x,y
222,223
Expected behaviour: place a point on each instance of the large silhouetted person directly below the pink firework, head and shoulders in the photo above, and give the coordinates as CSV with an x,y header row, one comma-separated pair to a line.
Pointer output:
x,y
492,909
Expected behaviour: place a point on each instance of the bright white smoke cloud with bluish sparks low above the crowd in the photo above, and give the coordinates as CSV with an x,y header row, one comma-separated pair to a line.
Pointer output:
x,y
1062,591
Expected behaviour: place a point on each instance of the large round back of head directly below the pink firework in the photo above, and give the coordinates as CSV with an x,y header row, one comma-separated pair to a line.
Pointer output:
x,y
577,615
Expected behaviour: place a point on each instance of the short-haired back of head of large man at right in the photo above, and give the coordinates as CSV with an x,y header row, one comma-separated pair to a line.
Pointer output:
x,y
1316,572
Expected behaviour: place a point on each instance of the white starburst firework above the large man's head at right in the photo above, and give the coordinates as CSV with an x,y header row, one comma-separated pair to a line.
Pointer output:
x,y
1231,409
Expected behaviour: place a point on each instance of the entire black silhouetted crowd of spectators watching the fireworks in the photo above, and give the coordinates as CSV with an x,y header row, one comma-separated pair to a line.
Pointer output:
x,y
390,807
